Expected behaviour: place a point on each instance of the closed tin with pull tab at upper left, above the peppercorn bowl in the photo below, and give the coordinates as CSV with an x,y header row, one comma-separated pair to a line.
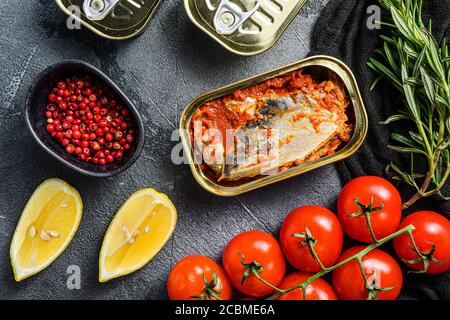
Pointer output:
x,y
111,19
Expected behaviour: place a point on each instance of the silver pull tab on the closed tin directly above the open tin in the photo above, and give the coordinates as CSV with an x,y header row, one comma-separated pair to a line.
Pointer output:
x,y
228,18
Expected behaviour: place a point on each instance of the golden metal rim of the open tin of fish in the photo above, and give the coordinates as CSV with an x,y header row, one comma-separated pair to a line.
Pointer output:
x,y
360,131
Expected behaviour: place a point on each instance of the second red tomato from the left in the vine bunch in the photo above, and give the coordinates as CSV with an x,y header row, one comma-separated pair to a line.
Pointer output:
x,y
260,252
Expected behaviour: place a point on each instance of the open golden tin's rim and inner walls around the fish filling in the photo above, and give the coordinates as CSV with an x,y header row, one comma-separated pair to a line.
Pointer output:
x,y
317,67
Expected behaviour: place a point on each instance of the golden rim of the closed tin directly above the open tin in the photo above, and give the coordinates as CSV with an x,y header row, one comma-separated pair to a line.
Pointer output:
x,y
240,49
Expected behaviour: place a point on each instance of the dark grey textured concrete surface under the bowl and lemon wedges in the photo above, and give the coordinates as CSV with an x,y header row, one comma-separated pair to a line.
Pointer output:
x,y
171,63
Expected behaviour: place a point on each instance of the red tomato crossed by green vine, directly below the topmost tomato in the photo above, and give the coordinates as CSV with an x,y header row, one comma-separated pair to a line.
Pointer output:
x,y
381,270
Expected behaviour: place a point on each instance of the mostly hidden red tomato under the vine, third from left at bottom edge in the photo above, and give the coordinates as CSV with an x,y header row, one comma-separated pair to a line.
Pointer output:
x,y
319,289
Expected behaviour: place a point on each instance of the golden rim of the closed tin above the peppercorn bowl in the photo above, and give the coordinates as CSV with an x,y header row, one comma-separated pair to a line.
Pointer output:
x,y
91,25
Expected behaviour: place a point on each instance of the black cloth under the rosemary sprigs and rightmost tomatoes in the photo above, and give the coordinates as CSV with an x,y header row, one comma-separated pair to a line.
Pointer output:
x,y
342,32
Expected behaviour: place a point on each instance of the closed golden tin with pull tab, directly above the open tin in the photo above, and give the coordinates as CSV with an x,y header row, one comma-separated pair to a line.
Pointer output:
x,y
245,27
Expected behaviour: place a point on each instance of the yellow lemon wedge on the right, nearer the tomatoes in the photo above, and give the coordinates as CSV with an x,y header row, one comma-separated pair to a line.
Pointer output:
x,y
140,229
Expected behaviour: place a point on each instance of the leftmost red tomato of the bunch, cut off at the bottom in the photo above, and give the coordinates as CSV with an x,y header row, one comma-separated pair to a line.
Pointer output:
x,y
198,278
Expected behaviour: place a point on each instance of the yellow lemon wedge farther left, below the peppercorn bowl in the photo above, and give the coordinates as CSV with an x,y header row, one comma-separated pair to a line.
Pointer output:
x,y
46,227
